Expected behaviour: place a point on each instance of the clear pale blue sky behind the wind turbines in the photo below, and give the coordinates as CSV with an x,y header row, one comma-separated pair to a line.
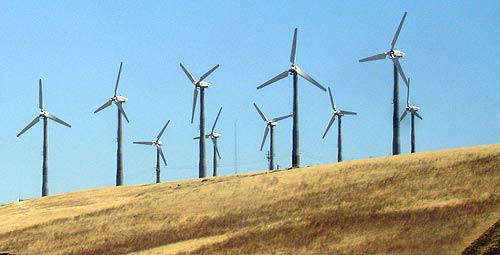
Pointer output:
x,y
452,56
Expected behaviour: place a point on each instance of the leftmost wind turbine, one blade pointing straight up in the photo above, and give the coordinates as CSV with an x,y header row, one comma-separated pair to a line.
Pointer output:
x,y
45,116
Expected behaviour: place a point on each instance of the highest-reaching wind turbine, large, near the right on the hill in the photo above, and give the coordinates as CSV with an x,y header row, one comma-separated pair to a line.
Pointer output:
x,y
394,55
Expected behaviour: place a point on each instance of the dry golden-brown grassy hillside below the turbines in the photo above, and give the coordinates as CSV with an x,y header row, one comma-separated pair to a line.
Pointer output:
x,y
425,203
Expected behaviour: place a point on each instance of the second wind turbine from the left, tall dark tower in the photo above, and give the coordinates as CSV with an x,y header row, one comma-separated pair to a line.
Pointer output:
x,y
118,100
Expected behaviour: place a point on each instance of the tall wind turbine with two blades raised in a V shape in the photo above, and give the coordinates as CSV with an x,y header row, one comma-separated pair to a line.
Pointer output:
x,y
201,85
